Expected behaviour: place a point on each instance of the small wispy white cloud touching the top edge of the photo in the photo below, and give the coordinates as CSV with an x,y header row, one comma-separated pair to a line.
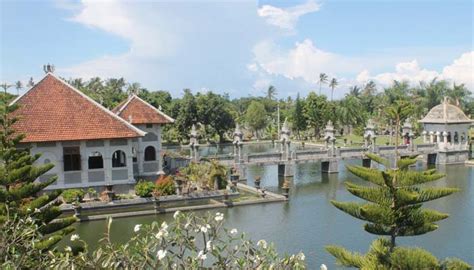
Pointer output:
x,y
286,18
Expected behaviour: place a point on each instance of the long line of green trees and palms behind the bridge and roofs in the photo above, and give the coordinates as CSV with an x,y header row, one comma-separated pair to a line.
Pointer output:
x,y
215,115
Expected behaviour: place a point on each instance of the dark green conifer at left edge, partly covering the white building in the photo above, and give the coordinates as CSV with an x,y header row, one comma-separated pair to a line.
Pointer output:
x,y
18,188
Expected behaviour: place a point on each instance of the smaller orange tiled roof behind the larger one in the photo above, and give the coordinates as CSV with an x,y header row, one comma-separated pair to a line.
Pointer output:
x,y
137,111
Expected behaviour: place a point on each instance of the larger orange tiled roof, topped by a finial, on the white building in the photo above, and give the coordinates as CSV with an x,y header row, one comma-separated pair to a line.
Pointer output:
x,y
55,111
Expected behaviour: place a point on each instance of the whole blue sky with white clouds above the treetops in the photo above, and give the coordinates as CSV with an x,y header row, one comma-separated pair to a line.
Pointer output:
x,y
240,47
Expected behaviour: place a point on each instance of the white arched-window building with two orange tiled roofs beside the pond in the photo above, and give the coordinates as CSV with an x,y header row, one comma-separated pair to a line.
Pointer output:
x,y
88,144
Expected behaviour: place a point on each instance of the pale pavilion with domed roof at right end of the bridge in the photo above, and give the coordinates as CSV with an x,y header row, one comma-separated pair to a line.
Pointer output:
x,y
447,126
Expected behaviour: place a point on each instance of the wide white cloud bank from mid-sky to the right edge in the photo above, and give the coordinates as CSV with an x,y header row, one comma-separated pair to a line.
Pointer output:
x,y
306,61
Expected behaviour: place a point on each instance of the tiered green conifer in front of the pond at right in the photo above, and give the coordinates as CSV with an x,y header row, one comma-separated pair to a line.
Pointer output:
x,y
393,208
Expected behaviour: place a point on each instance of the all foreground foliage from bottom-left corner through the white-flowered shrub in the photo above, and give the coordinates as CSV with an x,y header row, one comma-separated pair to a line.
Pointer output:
x,y
189,242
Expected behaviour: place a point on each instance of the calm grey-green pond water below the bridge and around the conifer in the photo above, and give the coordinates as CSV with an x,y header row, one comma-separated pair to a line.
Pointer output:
x,y
308,222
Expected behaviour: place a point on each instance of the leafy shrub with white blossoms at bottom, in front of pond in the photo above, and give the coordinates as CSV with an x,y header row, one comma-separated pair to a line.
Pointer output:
x,y
189,242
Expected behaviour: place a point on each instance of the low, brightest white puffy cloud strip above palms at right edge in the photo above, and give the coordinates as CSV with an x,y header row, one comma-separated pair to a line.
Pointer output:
x,y
460,71
